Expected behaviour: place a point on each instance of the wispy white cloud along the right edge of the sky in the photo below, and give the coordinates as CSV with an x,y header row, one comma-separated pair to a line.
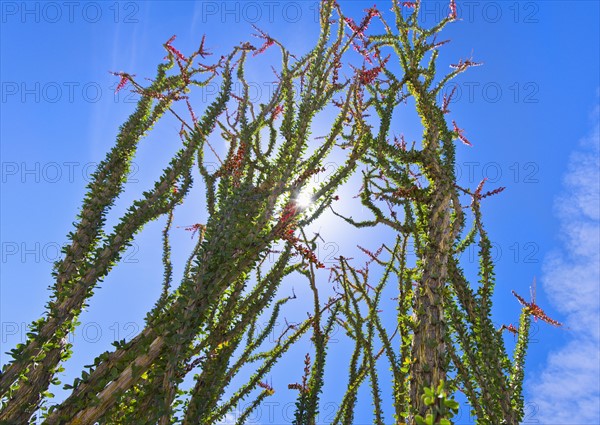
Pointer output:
x,y
568,390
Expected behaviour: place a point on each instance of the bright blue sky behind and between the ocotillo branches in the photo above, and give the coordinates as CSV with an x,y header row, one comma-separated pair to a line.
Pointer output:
x,y
531,113
